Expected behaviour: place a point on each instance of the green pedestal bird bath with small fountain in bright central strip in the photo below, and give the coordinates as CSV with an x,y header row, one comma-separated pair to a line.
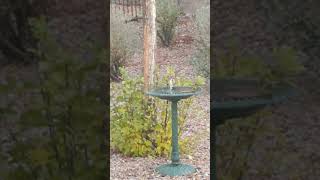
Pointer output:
x,y
174,94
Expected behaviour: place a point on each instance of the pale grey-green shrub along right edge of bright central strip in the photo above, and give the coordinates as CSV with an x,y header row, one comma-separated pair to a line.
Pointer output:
x,y
201,59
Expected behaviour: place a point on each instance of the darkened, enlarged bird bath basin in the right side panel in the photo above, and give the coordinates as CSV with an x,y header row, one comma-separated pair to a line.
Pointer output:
x,y
234,98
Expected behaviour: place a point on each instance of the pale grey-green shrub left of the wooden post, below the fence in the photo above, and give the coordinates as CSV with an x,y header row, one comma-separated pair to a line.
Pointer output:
x,y
124,41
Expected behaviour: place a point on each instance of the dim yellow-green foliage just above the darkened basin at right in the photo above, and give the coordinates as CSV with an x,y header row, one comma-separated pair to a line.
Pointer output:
x,y
281,66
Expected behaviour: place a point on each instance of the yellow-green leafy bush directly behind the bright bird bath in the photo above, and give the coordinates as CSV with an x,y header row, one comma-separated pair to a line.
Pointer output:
x,y
141,126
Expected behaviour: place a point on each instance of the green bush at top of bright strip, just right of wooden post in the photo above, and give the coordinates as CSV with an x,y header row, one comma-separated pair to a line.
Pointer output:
x,y
167,19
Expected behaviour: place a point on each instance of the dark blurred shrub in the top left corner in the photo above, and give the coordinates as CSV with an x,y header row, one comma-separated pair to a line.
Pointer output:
x,y
15,33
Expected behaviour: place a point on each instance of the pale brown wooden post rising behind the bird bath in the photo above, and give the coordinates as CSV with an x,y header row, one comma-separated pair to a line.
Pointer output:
x,y
149,43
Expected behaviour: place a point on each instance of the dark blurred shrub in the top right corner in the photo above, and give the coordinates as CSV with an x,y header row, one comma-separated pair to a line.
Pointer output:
x,y
295,24
